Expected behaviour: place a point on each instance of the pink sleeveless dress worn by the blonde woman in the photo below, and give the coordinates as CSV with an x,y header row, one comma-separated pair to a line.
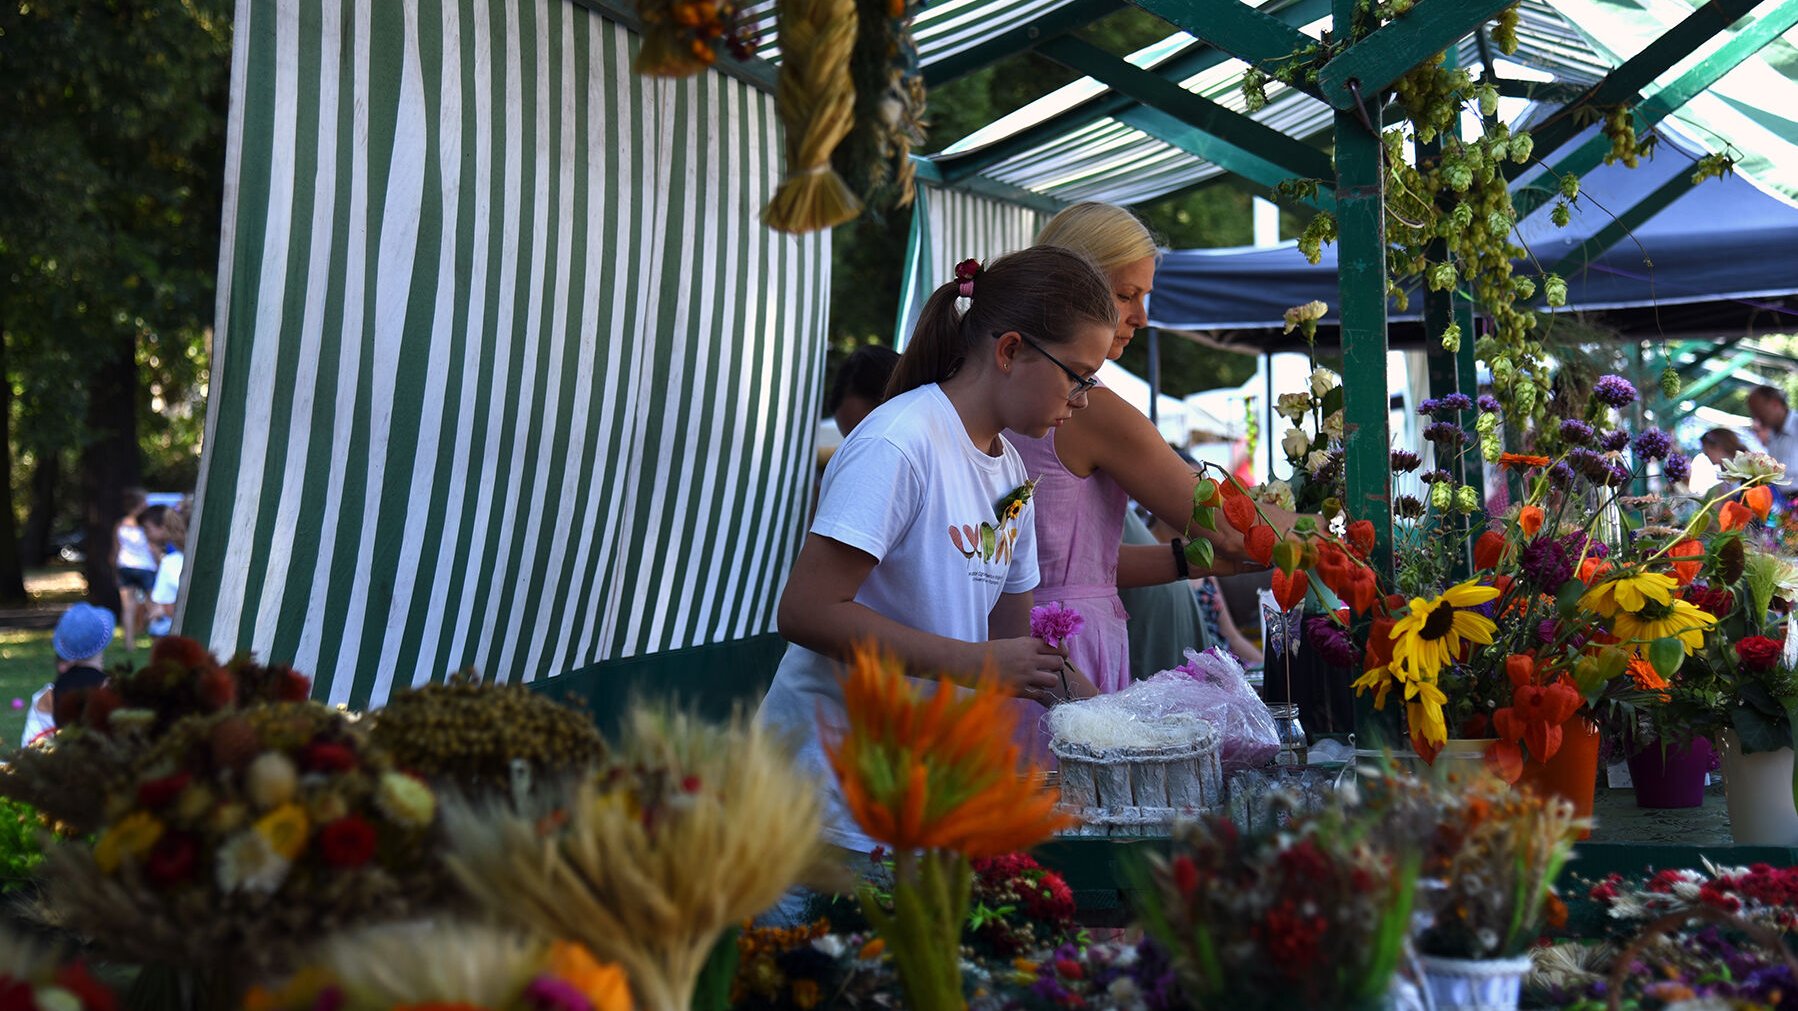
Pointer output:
x,y
1080,526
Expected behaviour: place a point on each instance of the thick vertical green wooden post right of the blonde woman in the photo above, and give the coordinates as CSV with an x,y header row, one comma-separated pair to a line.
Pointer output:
x,y
1362,282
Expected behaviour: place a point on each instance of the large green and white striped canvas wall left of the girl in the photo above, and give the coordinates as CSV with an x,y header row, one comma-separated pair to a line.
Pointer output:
x,y
510,373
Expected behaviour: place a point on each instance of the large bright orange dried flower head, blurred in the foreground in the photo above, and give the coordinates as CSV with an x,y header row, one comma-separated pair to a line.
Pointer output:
x,y
936,773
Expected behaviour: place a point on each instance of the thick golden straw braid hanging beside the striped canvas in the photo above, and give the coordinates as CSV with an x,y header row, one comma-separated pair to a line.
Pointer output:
x,y
817,105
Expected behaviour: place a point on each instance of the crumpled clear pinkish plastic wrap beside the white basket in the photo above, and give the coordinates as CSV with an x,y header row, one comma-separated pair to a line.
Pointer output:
x,y
1215,688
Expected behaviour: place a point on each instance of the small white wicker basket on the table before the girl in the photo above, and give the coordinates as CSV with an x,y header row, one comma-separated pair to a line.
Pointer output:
x,y
1141,791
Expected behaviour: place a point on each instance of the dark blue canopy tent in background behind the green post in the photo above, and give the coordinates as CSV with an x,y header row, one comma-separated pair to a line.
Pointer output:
x,y
1725,242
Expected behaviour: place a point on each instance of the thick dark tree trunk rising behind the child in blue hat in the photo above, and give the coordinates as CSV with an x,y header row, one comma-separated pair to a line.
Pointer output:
x,y
109,463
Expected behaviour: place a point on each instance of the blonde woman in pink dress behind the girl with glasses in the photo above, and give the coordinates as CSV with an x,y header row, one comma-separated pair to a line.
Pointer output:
x,y
1105,456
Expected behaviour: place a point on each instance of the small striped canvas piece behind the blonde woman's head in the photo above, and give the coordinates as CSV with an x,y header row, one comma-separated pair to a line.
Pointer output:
x,y
950,226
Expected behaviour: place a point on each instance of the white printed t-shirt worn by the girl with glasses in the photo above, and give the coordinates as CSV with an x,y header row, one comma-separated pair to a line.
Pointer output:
x,y
912,490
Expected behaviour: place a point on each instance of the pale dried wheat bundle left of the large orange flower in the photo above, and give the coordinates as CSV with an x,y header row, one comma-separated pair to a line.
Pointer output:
x,y
693,828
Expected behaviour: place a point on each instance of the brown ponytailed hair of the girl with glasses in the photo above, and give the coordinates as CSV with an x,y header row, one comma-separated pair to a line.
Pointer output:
x,y
1044,292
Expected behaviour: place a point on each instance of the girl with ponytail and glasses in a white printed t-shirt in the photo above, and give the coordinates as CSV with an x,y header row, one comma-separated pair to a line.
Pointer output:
x,y
909,546
